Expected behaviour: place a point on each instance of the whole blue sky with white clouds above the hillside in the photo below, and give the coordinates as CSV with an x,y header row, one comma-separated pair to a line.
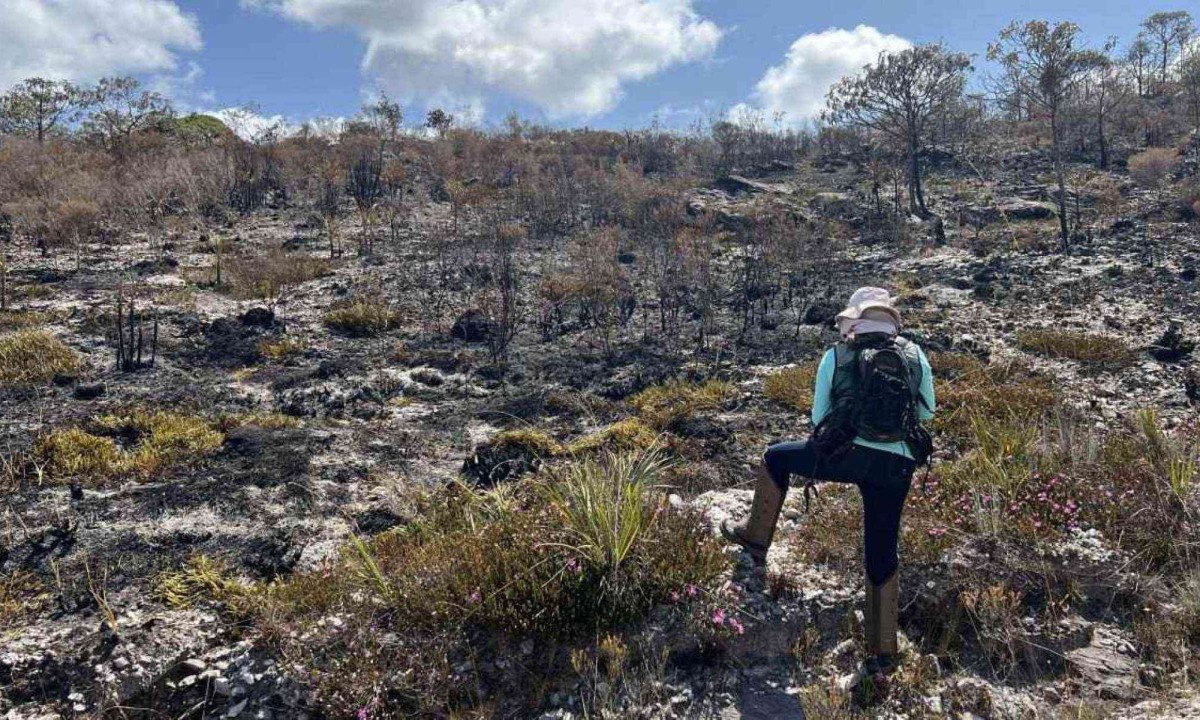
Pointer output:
x,y
599,63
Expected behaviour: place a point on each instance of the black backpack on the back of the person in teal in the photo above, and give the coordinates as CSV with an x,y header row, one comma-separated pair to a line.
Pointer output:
x,y
877,388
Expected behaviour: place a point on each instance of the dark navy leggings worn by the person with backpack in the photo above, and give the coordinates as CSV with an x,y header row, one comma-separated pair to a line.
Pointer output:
x,y
883,479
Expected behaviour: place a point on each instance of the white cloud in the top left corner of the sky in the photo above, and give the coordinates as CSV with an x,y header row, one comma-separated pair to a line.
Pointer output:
x,y
83,40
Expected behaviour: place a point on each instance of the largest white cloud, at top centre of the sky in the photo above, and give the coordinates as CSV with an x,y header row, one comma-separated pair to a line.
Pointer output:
x,y
567,57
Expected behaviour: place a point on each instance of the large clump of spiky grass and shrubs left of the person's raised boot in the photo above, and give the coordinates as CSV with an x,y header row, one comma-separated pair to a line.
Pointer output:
x,y
577,551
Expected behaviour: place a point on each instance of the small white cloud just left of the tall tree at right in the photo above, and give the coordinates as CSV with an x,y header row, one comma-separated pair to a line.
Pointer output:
x,y
797,88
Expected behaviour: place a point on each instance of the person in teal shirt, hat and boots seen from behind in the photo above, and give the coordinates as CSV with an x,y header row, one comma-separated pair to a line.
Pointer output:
x,y
856,442
